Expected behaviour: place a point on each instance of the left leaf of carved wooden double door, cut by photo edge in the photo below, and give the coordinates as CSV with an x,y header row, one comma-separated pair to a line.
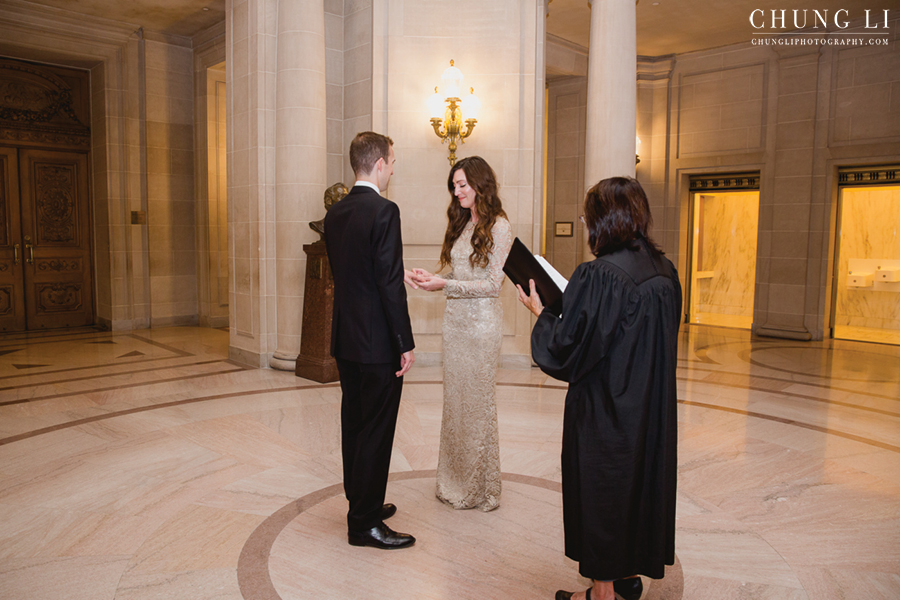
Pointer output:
x,y
12,295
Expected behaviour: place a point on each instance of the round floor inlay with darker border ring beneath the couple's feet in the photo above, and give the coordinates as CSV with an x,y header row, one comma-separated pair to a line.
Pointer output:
x,y
515,551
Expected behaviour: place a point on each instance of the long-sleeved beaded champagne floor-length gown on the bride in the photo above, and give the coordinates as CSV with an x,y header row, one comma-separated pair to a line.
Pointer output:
x,y
468,474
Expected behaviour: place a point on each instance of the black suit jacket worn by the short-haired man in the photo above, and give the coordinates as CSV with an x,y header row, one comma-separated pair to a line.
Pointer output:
x,y
371,320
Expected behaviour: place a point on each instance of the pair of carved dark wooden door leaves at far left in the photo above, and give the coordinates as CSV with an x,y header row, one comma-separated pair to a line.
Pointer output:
x,y
45,267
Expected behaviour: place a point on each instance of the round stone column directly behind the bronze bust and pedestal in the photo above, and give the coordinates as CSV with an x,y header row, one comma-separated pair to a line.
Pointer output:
x,y
300,164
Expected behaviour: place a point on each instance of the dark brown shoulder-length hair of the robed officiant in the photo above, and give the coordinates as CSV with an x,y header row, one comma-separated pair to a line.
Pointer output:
x,y
617,215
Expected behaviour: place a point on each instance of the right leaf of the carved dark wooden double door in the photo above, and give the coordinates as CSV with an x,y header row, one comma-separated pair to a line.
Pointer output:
x,y
56,238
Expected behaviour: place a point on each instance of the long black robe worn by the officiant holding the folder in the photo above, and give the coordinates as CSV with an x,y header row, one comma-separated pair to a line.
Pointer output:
x,y
616,345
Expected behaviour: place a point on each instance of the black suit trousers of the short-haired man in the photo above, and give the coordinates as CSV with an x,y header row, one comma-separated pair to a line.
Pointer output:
x,y
369,407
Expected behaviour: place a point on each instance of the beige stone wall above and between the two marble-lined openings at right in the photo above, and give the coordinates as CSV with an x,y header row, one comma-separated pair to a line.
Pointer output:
x,y
794,114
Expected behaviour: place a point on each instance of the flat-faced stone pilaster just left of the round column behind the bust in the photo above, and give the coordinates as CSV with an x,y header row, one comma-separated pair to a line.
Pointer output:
x,y
250,130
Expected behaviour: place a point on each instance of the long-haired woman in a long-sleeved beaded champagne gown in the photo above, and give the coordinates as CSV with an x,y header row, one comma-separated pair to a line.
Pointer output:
x,y
475,247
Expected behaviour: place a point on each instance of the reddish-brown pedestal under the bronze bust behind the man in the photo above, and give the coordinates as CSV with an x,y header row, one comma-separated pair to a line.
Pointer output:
x,y
315,361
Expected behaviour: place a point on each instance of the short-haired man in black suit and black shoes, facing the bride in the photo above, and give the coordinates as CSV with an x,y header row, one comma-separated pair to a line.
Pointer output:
x,y
371,336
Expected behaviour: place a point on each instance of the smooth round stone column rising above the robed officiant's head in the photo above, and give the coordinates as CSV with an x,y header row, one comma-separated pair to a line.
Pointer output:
x,y
612,92
